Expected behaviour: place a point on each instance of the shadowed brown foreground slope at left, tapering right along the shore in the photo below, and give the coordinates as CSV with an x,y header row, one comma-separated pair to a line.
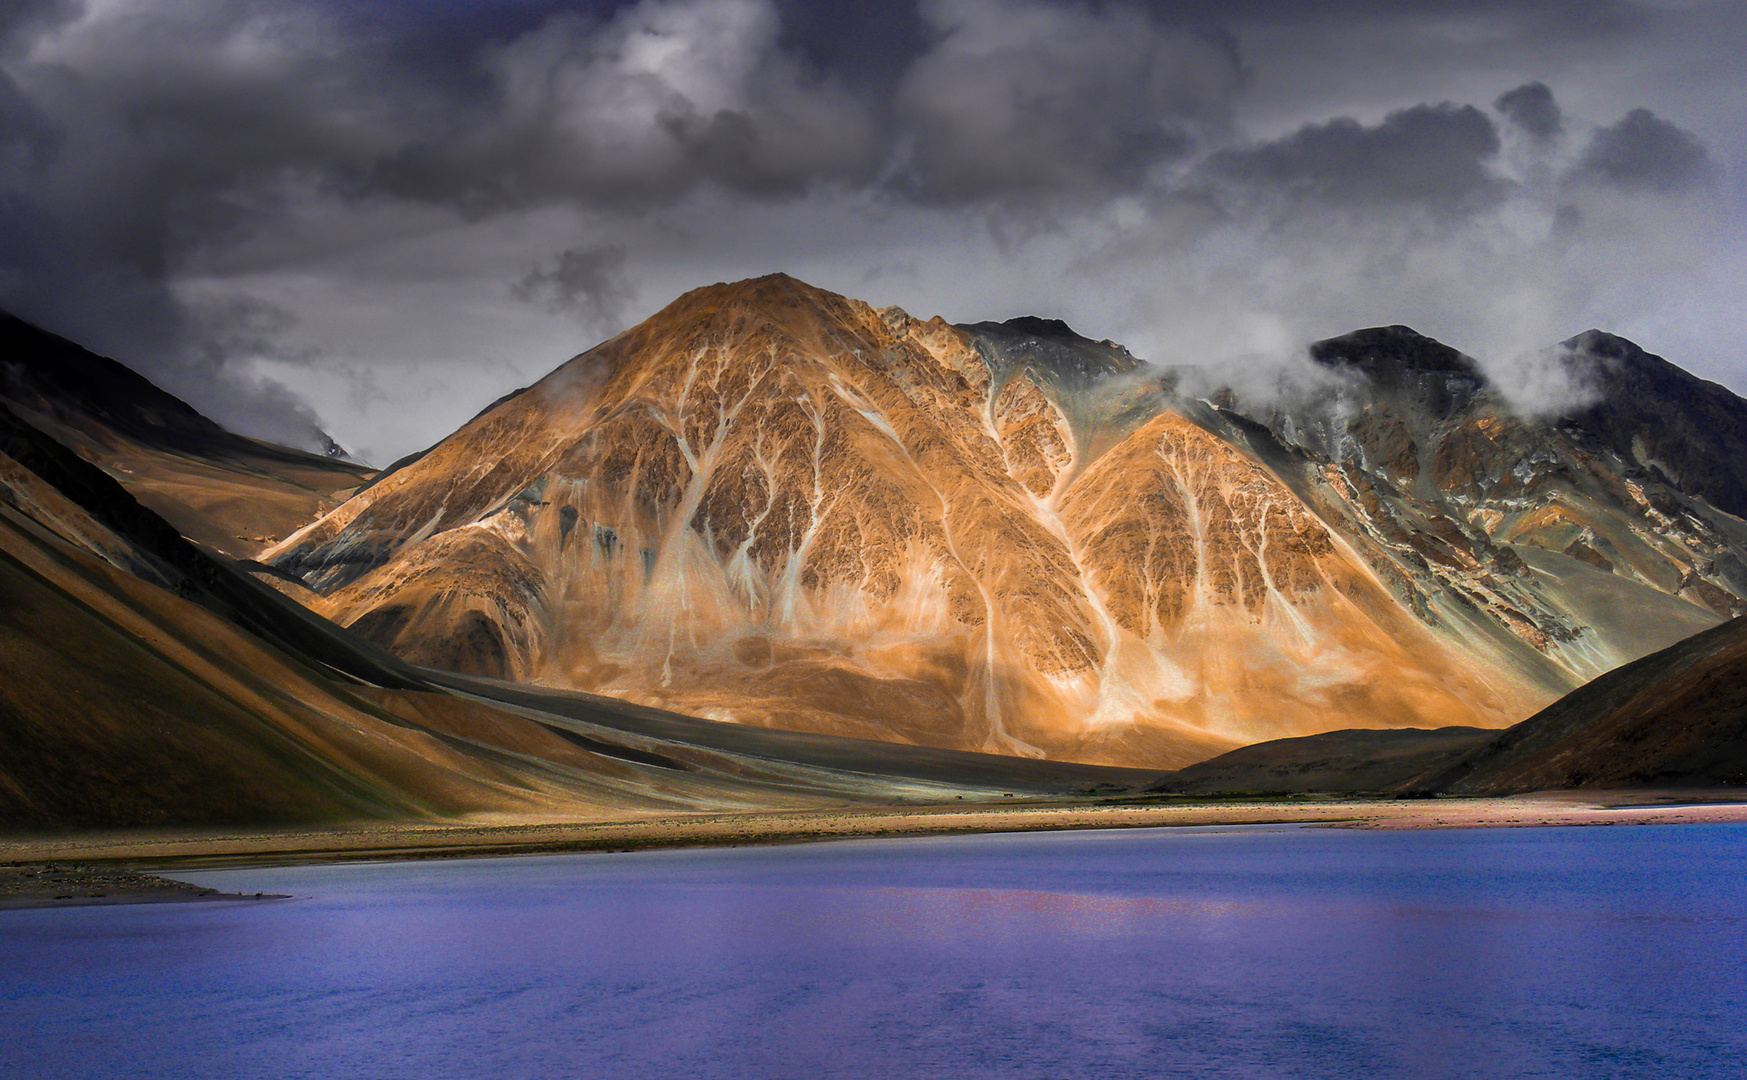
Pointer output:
x,y
151,682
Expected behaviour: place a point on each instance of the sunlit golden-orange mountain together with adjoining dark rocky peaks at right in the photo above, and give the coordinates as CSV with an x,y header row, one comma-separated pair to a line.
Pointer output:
x,y
784,508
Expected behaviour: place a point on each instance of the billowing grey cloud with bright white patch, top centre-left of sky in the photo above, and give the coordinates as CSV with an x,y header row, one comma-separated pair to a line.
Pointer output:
x,y
637,111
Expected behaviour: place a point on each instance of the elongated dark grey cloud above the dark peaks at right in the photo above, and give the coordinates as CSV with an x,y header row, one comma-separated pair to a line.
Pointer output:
x,y
1428,156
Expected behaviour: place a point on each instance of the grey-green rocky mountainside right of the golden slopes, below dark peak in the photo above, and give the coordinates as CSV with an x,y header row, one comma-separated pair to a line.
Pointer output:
x,y
1512,532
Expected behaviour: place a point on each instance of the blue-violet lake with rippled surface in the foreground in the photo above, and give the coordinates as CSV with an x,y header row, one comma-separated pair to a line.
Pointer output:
x,y
1246,953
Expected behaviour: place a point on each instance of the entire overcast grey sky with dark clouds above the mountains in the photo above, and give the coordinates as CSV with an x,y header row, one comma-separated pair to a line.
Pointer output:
x,y
378,218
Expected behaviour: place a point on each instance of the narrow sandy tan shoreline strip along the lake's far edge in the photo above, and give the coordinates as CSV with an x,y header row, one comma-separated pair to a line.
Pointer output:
x,y
460,840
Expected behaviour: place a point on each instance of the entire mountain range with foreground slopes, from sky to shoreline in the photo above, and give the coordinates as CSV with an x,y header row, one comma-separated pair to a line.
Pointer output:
x,y
869,544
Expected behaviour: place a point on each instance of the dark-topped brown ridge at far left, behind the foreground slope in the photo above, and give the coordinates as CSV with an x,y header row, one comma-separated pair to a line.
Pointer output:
x,y
223,490
